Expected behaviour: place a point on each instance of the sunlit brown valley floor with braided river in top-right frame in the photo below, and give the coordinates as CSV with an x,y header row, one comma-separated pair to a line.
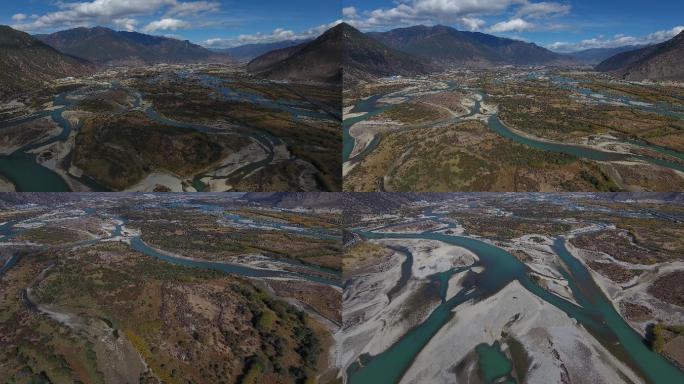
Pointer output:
x,y
513,130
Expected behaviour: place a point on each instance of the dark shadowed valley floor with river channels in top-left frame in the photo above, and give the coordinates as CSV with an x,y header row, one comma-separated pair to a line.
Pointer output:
x,y
180,128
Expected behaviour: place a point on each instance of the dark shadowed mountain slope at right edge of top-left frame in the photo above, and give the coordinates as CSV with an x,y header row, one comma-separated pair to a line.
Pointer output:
x,y
318,60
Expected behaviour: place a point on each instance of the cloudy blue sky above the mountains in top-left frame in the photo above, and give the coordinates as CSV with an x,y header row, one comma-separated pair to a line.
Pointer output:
x,y
214,23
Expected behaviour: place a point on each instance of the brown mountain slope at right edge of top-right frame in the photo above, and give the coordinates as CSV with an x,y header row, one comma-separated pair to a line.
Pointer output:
x,y
661,62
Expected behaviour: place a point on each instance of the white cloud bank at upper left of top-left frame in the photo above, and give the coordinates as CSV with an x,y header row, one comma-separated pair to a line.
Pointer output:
x,y
119,13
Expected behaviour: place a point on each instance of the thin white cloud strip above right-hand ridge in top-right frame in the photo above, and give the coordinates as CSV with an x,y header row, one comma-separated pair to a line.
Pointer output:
x,y
618,40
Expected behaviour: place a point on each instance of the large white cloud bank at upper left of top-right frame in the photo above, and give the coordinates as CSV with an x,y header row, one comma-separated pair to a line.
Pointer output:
x,y
465,13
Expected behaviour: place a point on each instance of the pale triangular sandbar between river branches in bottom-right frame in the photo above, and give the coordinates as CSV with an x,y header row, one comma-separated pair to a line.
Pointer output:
x,y
552,341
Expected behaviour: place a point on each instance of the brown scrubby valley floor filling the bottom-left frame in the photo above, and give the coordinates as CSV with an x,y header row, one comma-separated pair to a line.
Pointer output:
x,y
173,289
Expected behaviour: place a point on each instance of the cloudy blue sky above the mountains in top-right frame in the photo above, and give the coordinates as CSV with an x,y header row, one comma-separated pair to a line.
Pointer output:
x,y
564,25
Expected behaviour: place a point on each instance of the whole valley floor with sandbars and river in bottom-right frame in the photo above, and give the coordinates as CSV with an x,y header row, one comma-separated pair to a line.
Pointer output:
x,y
525,288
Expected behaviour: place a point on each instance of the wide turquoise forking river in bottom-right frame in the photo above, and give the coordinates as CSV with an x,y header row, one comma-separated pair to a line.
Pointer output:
x,y
595,312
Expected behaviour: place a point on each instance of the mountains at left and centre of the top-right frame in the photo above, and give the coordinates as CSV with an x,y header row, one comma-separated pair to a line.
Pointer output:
x,y
419,50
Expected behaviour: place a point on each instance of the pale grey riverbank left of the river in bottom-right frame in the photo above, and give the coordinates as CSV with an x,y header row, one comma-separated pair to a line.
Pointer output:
x,y
386,299
